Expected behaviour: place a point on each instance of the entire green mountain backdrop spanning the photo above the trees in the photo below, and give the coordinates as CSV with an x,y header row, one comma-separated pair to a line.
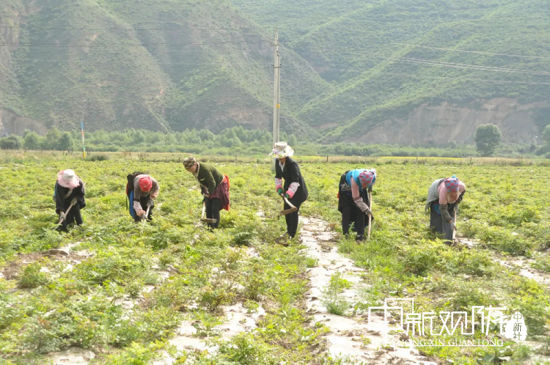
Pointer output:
x,y
409,72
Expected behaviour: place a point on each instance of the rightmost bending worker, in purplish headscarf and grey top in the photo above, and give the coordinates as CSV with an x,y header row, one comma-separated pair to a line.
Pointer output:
x,y
444,195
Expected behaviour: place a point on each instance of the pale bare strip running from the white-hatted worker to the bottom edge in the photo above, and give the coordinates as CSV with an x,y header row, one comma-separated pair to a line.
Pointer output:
x,y
351,338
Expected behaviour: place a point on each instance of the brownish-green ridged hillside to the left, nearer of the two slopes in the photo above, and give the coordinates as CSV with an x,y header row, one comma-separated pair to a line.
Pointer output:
x,y
125,64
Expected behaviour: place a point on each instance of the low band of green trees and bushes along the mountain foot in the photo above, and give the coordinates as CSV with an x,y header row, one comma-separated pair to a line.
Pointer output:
x,y
238,140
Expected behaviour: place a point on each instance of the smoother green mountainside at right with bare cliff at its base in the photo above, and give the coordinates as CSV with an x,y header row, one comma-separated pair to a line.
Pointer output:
x,y
409,71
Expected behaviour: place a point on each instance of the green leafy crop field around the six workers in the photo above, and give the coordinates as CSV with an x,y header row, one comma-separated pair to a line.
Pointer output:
x,y
122,291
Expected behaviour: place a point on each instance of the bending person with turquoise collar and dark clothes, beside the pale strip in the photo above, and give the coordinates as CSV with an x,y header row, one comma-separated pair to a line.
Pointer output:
x,y
354,200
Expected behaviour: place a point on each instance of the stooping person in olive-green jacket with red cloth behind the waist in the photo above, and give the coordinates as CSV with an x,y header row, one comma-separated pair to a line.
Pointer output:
x,y
214,188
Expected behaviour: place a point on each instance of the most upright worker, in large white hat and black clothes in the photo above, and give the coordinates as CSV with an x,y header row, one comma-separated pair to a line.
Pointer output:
x,y
294,187
